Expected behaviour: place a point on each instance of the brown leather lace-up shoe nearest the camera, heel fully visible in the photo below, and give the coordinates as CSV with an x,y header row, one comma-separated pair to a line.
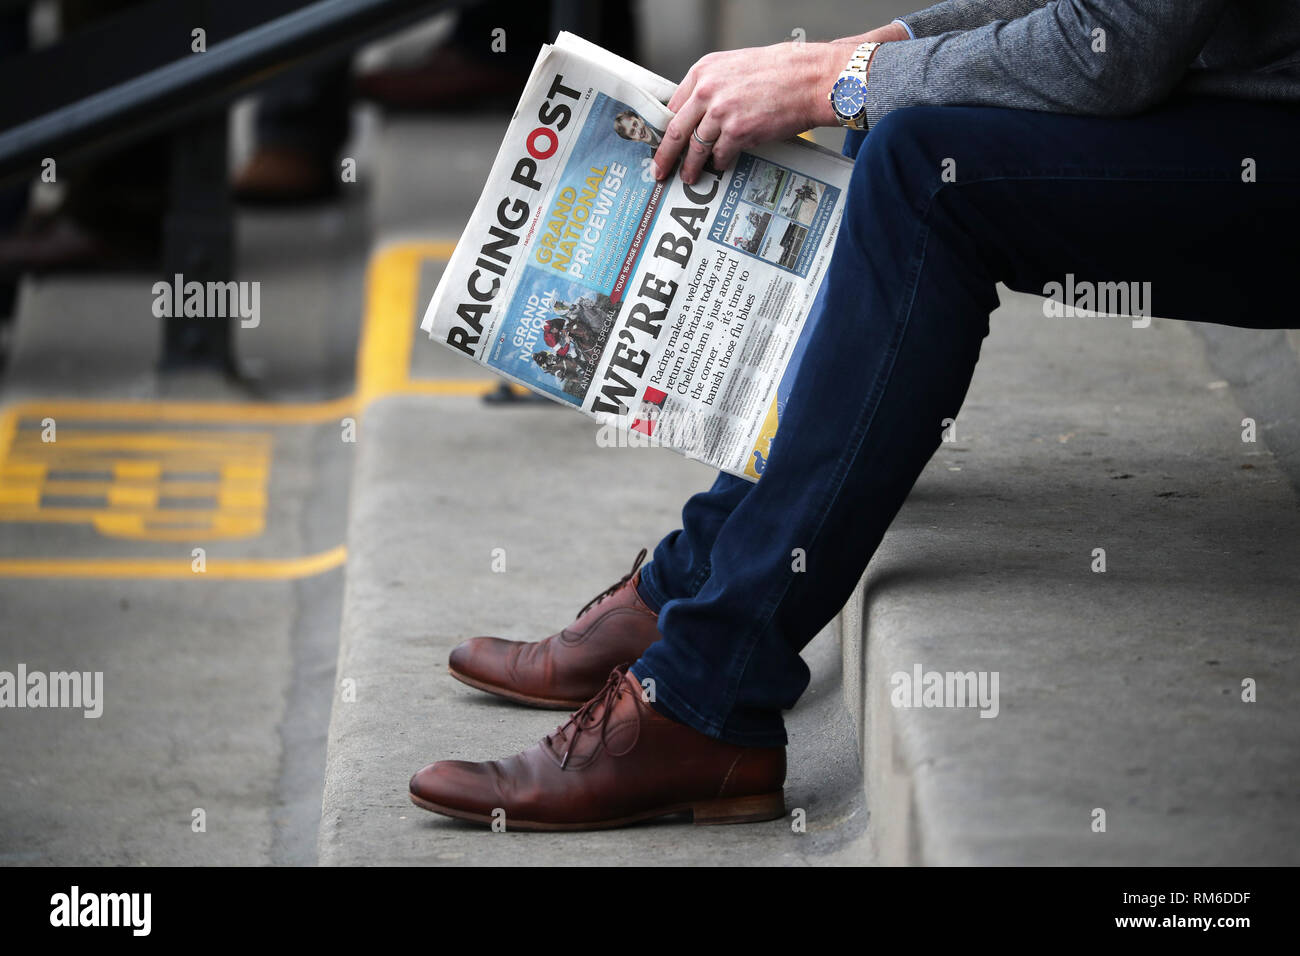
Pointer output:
x,y
616,762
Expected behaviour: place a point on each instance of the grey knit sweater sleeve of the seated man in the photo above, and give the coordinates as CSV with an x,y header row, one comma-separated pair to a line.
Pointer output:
x,y
1089,57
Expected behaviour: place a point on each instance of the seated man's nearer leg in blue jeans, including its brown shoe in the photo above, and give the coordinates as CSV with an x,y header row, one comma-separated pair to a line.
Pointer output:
x,y
912,284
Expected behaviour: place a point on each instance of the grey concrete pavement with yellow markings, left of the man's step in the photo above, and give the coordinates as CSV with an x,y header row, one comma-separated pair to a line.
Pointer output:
x,y
216,693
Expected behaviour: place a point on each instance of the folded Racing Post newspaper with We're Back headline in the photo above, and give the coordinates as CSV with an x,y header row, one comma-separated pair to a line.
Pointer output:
x,y
673,313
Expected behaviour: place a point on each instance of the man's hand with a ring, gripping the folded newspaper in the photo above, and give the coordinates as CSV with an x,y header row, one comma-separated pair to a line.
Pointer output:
x,y
742,98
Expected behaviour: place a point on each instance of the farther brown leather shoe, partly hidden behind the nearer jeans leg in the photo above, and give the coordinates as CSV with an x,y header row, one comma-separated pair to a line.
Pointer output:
x,y
566,669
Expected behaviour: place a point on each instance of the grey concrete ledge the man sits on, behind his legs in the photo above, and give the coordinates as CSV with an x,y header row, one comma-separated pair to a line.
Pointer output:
x,y
1120,691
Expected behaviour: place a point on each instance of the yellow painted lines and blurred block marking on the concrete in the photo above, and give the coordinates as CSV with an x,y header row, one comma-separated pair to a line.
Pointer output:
x,y
140,462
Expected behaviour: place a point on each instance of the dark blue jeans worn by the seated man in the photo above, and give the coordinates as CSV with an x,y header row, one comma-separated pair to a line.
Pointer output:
x,y
1158,198
